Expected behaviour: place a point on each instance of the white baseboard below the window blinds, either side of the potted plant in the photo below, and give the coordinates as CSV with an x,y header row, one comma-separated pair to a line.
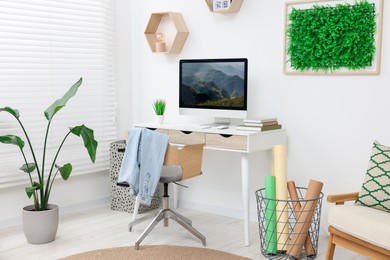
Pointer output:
x,y
105,201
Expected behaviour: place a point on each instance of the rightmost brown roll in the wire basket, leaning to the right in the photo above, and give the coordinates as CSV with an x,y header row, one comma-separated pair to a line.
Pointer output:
x,y
304,218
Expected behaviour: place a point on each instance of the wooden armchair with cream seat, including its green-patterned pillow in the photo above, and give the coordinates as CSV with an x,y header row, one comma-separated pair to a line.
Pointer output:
x,y
364,227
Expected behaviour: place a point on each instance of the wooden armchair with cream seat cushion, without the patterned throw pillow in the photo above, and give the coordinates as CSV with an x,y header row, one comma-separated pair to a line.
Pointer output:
x,y
361,229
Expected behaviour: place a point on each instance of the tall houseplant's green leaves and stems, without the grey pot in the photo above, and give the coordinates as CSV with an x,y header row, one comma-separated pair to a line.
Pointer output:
x,y
40,186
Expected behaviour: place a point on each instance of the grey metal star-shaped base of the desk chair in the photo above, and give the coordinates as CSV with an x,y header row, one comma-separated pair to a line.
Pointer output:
x,y
165,214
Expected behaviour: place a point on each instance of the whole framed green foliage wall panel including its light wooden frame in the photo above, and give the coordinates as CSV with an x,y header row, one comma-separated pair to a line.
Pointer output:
x,y
333,36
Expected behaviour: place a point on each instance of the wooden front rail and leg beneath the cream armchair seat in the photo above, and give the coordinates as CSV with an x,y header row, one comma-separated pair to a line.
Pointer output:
x,y
347,241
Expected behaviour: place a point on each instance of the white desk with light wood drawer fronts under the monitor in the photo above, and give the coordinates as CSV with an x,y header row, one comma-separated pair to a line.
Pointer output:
x,y
243,142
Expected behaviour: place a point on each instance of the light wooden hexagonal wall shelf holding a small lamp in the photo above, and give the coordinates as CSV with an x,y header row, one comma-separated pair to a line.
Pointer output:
x,y
180,35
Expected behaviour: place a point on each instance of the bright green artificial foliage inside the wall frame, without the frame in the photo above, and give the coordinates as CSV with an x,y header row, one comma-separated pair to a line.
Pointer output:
x,y
329,38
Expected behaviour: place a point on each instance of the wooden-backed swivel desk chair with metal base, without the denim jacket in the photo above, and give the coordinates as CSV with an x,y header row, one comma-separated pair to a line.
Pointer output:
x,y
179,164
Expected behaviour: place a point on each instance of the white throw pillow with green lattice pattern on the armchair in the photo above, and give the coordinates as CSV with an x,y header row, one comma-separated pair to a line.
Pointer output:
x,y
375,191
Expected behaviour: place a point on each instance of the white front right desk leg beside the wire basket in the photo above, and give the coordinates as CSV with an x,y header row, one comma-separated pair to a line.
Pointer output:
x,y
245,194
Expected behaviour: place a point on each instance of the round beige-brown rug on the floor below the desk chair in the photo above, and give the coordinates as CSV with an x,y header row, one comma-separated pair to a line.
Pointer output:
x,y
155,253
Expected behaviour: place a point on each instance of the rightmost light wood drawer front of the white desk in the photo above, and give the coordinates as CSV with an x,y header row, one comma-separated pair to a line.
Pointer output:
x,y
237,142
